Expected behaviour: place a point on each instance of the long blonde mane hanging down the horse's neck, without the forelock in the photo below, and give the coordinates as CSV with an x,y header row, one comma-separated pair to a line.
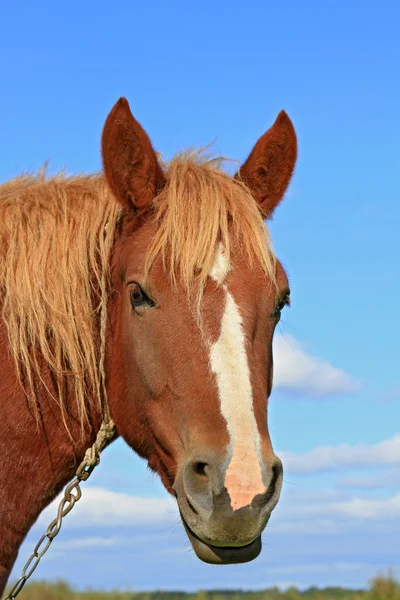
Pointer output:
x,y
56,236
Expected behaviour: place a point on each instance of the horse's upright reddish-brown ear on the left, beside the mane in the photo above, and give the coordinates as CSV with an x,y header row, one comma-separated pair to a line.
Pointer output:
x,y
130,163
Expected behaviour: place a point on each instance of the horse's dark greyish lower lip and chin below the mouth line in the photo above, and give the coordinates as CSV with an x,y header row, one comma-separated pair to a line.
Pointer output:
x,y
223,555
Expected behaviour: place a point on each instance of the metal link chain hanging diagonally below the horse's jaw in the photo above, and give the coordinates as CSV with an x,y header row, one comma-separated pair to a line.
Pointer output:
x,y
89,463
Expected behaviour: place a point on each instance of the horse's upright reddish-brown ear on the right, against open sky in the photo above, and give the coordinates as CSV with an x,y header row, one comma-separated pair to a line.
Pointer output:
x,y
269,167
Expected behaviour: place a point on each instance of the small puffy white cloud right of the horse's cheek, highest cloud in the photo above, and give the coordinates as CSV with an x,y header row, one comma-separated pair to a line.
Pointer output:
x,y
296,370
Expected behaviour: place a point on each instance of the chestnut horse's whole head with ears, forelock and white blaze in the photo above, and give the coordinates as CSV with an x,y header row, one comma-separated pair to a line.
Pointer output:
x,y
197,295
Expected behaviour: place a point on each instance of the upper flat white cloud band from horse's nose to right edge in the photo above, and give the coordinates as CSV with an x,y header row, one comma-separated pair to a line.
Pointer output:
x,y
324,458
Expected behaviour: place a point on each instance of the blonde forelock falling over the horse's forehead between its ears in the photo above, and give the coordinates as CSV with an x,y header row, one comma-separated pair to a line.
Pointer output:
x,y
201,209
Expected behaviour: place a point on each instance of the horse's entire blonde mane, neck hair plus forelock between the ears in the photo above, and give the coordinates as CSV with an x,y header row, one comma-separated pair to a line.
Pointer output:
x,y
56,237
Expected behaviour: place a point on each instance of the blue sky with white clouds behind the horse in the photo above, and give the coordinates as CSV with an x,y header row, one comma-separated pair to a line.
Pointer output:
x,y
198,72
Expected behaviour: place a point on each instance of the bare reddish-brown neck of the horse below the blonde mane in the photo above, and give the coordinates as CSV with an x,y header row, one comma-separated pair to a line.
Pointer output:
x,y
39,453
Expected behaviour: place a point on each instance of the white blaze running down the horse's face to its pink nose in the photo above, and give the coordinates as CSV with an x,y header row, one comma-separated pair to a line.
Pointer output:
x,y
228,359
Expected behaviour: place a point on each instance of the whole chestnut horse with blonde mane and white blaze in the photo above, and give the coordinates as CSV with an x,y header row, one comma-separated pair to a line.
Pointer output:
x,y
152,291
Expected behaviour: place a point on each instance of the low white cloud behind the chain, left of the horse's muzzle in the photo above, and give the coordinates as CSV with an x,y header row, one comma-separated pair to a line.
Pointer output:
x,y
99,507
